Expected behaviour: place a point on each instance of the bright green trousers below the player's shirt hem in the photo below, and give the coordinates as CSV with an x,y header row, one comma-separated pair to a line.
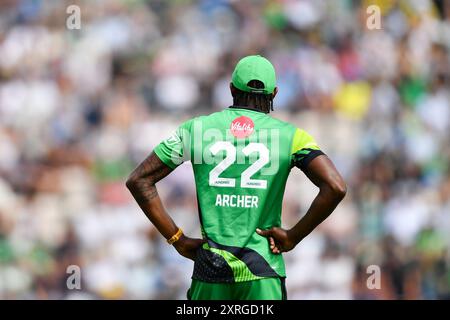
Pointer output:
x,y
263,289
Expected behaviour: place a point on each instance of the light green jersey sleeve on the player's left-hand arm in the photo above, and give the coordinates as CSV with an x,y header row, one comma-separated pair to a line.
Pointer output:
x,y
175,150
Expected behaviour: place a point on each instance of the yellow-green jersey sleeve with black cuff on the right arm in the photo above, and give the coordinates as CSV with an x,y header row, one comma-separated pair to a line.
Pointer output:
x,y
304,149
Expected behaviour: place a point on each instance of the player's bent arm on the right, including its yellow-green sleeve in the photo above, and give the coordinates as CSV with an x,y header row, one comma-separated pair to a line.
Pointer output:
x,y
332,189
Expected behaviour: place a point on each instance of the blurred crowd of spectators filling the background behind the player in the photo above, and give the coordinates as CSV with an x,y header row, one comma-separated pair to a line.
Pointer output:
x,y
80,108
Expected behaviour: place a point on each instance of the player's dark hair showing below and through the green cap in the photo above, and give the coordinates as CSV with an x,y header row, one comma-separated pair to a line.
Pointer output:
x,y
260,101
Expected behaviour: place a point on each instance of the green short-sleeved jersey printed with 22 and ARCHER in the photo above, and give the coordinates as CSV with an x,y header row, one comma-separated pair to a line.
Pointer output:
x,y
241,160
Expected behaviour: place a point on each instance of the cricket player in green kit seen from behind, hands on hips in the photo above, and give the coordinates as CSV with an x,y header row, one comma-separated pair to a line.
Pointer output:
x,y
241,158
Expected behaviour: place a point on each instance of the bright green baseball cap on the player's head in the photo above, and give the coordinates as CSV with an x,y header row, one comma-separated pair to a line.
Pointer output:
x,y
254,68
